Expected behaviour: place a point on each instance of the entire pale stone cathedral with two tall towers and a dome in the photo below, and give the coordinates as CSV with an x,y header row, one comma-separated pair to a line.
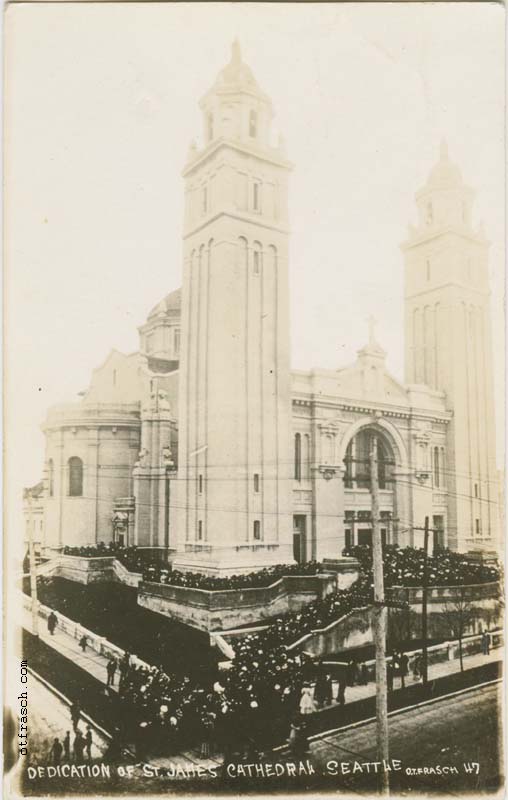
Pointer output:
x,y
206,446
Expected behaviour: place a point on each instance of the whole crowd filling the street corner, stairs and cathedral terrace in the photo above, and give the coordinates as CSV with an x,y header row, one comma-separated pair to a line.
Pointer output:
x,y
264,694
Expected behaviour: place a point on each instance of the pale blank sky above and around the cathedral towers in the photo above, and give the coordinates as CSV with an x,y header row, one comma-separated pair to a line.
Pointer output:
x,y
101,105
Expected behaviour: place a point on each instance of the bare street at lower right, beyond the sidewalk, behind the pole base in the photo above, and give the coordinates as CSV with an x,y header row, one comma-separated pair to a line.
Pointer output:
x,y
449,732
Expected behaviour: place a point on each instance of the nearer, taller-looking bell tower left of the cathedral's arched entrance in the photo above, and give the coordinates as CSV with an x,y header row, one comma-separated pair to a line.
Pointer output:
x,y
231,505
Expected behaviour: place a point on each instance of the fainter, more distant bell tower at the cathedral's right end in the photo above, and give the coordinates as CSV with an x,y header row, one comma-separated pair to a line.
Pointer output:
x,y
448,347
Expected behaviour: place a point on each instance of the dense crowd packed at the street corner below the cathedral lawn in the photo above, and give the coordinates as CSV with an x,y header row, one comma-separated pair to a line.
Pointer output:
x,y
247,707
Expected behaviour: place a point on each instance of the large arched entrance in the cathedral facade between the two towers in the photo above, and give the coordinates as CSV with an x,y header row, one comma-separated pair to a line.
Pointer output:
x,y
357,487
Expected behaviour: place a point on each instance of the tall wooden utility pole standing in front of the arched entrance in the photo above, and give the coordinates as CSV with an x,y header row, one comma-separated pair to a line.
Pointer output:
x,y
380,615
